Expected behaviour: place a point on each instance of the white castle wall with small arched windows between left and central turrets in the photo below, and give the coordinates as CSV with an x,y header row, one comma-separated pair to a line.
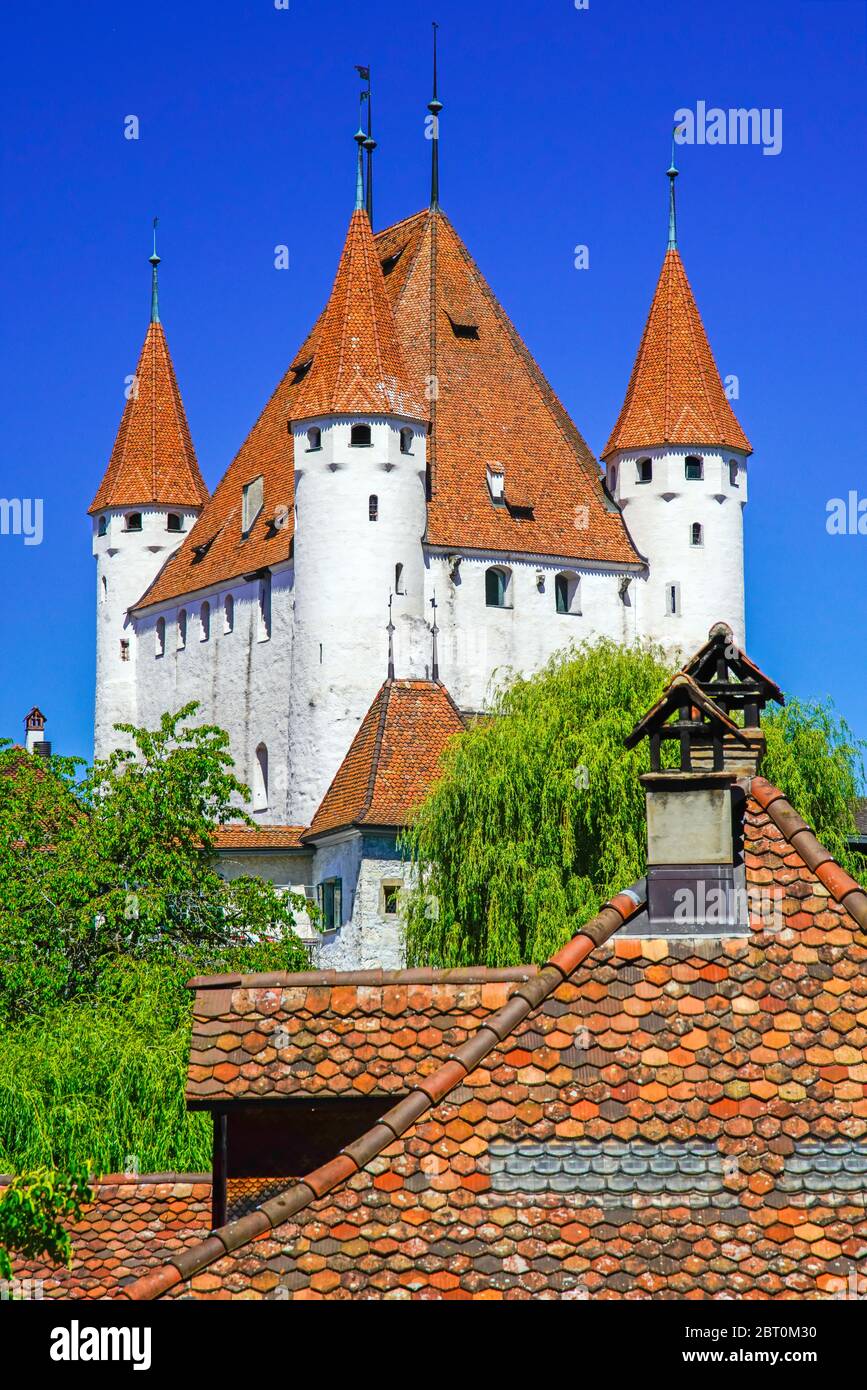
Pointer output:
x,y
240,680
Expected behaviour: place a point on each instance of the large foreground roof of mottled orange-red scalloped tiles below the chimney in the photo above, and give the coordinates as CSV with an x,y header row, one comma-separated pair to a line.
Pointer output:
x,y
745,1050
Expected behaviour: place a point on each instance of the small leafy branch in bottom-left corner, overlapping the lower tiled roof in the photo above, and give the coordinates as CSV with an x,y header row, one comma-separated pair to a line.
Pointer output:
x,y
31,1210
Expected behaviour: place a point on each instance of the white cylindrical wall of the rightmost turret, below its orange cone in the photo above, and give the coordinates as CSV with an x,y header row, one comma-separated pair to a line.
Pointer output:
x,y
659,516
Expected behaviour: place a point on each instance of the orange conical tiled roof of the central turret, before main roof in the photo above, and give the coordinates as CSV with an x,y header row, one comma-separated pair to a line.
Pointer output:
x,y
359,366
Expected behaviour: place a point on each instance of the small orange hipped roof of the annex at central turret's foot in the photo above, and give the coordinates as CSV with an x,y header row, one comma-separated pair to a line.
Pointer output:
x,y
393,760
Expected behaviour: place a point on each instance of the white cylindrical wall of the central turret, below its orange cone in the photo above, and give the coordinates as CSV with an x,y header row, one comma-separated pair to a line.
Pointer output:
x,y
345,571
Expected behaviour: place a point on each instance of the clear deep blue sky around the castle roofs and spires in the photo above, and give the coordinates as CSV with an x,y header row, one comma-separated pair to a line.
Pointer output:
x,y
555,133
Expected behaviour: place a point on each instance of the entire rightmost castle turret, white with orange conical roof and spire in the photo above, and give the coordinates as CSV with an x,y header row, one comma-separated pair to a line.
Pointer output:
x,y
677,466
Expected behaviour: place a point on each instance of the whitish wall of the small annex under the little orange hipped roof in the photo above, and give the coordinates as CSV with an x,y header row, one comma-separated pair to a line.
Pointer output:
x,y
368,940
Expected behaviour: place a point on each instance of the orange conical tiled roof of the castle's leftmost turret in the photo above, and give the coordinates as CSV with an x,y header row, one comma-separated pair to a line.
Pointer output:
x,y
154,461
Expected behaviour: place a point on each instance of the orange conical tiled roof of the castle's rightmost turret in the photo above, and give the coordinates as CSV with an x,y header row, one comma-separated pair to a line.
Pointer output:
x,y
675,393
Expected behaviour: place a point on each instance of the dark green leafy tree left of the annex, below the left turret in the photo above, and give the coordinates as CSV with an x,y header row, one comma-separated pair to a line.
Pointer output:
x,y
122,862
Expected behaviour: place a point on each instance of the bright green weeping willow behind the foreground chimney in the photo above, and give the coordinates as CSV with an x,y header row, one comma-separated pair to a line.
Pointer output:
x,y
540,814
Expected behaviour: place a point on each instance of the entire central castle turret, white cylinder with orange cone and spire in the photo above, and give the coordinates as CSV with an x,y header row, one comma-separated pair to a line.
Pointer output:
x,y
359,436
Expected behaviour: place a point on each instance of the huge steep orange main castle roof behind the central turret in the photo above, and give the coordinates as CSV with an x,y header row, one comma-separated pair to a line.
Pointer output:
x,y
494,405
